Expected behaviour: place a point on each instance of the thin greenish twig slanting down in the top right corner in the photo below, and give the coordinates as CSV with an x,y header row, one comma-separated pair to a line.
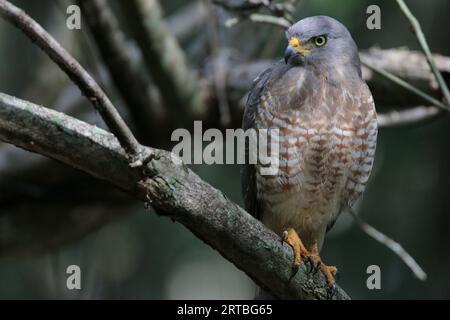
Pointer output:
x,y
426,49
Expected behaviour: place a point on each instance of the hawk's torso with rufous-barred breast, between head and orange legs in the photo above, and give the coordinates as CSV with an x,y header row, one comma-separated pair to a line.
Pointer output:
x,y
328,129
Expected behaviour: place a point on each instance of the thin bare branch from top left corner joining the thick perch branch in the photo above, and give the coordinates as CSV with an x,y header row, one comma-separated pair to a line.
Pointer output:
x,y
75,71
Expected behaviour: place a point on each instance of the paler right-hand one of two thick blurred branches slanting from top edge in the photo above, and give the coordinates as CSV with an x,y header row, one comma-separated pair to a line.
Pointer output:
x,y
165,60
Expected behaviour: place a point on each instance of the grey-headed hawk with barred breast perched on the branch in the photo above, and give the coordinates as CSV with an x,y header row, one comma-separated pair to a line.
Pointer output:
x,y
326,119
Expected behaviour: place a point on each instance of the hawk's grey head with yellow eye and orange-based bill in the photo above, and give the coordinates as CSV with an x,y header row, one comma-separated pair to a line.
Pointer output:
x,y
321,39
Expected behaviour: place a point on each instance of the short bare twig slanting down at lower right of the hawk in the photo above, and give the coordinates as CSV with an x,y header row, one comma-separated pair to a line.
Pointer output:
x,y
391,244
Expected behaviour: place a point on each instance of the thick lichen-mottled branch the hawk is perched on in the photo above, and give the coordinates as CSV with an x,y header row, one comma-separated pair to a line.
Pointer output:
x,y
170,187
